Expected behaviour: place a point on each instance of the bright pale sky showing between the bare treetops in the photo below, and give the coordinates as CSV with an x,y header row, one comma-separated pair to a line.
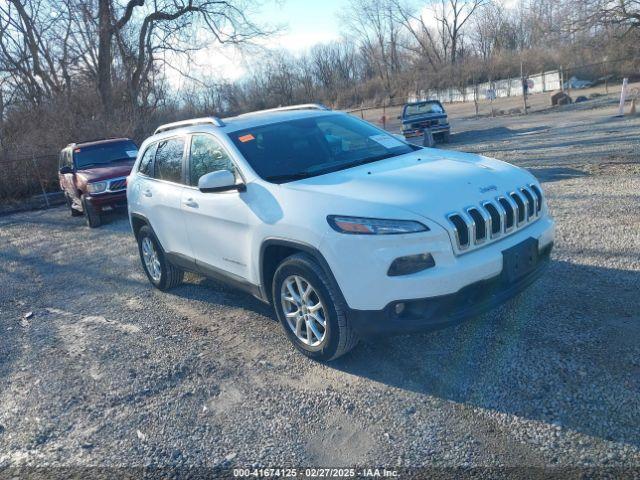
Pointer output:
x,y
302,24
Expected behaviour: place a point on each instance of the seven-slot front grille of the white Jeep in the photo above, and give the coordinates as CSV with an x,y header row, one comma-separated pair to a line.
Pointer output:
x,y
504,215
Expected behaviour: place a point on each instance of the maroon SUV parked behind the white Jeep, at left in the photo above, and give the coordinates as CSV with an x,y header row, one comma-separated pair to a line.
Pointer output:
x,y
93,176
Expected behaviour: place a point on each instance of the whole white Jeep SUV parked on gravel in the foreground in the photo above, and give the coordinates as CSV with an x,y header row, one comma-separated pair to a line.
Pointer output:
x,y
344,228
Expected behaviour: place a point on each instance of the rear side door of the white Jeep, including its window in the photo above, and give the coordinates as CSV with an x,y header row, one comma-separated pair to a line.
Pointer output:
x,y
161,196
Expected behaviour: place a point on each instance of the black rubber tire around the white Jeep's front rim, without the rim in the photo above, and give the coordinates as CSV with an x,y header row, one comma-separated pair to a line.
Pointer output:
x,y
299,266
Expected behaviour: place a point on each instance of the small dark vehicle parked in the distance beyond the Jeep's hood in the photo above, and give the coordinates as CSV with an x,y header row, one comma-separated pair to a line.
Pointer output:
x,y
428,114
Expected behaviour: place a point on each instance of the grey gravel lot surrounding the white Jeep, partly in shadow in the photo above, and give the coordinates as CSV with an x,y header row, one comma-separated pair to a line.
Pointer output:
x,y
109,372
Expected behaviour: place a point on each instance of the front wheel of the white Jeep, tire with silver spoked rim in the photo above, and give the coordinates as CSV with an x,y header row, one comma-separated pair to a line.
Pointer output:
x,y
337,335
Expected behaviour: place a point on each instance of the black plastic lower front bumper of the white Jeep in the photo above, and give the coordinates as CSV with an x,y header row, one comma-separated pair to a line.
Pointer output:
x,y
443,311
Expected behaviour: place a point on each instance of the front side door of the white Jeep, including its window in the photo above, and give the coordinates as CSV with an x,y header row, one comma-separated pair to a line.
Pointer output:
x,y
217,223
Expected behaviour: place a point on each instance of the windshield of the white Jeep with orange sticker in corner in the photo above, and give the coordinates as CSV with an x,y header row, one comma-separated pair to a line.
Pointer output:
x,y
281,152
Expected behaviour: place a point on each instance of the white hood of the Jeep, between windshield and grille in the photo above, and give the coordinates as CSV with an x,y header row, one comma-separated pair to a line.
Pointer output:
x,y
430,182
